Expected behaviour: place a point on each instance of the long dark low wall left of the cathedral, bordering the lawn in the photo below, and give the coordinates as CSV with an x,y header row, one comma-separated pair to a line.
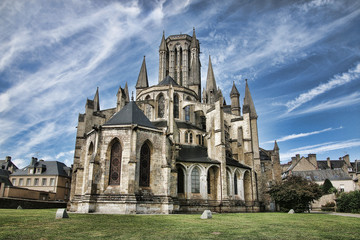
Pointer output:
x,y
13,203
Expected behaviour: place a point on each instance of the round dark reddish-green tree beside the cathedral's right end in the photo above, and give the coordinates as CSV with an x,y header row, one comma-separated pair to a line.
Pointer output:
x,y
295,193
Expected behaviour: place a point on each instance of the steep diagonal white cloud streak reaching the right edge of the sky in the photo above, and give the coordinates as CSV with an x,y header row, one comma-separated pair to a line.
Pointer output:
x,y
337,80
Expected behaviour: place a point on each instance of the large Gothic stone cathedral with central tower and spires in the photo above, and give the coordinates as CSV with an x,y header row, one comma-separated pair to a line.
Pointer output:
x,y
174,148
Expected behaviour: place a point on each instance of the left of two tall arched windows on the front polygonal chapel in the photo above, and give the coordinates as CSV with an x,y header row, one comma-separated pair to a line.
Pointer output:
x,y
115,163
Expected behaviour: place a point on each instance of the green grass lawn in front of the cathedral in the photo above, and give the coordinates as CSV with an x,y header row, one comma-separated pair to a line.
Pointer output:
x,y
41,224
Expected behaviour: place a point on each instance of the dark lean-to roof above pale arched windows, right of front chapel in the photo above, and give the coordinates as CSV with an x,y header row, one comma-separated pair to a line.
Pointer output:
x,y
198,154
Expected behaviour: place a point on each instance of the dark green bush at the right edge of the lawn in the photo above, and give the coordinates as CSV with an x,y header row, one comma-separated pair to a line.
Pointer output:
x,y
349,202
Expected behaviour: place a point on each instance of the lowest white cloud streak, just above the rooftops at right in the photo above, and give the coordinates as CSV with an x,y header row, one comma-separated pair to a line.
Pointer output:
x,y
320,148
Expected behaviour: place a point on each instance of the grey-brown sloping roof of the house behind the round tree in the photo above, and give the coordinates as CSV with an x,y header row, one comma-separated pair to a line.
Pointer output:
x,y
321,175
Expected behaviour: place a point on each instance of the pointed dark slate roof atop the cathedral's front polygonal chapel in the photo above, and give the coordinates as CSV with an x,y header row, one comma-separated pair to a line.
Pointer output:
x,y
130,114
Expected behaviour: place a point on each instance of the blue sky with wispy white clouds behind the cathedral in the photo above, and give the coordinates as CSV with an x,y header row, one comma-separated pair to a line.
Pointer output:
x,y
301,59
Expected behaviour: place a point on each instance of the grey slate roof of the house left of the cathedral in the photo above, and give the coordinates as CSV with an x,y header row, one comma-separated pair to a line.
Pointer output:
x,y
50,168
